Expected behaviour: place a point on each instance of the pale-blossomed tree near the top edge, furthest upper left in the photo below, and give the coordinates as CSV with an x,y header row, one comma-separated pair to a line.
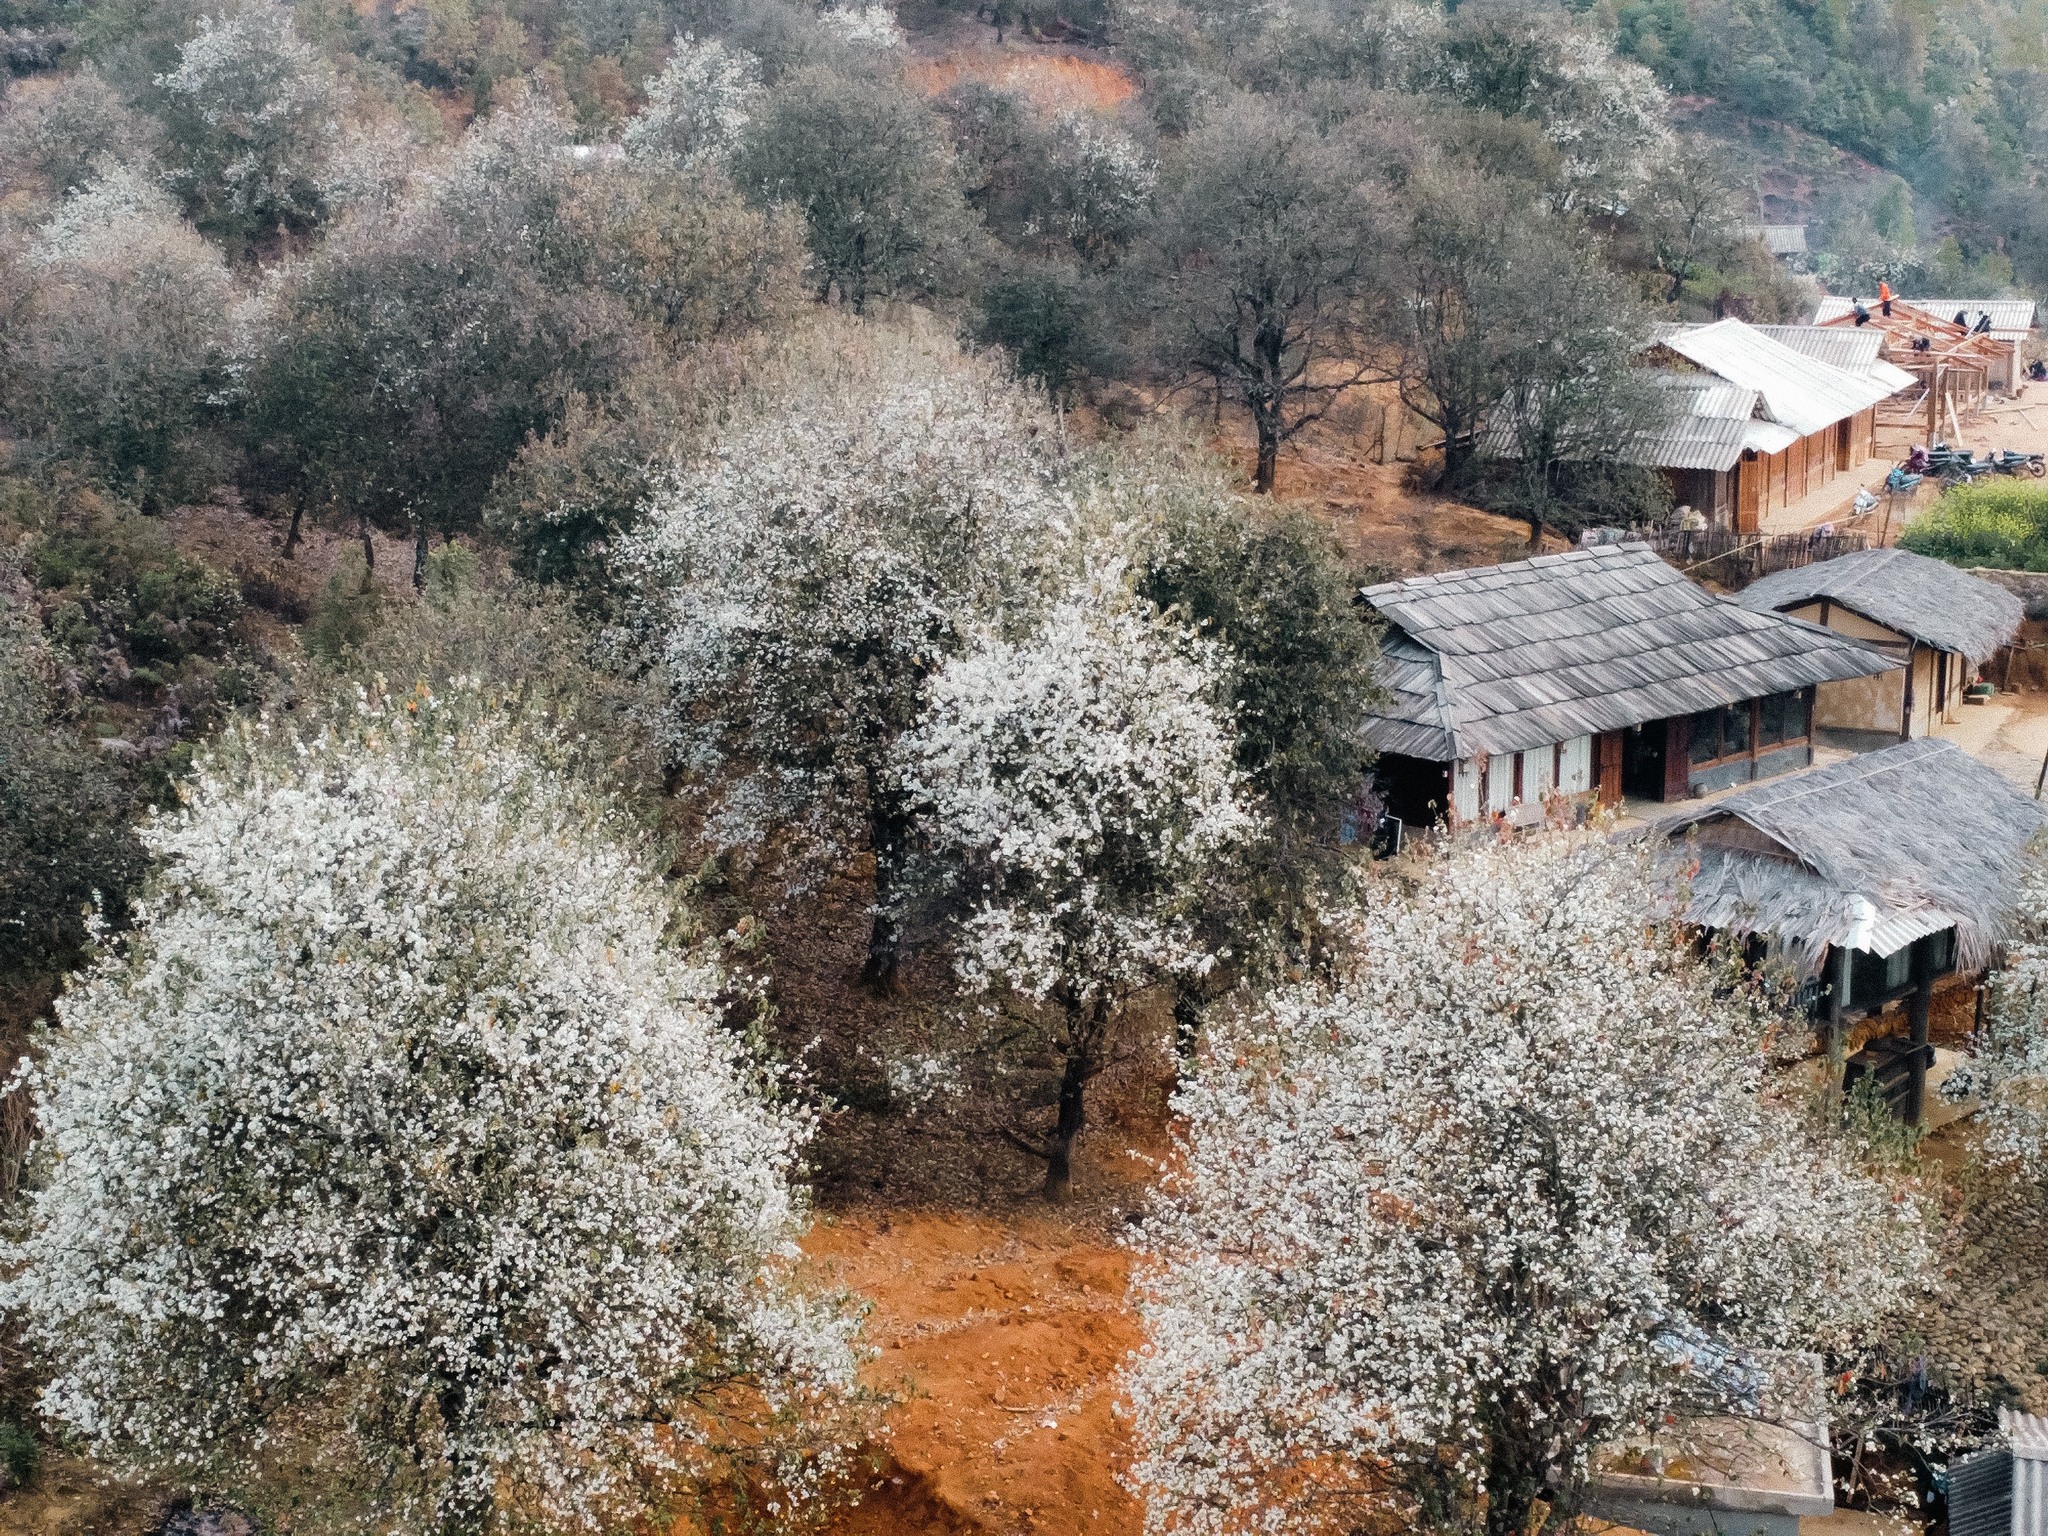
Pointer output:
x,y
251,114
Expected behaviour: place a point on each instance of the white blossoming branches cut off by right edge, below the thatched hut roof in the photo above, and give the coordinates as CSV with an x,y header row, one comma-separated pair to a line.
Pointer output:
x,y
2010,1066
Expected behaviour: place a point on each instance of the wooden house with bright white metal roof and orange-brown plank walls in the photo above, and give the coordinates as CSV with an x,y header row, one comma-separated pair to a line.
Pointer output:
x,y
1803,419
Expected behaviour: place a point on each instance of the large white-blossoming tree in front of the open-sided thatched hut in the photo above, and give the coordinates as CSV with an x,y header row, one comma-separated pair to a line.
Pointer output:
x,y
1500,1191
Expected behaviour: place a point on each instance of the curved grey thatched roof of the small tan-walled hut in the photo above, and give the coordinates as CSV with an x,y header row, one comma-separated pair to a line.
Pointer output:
x,y
1924,599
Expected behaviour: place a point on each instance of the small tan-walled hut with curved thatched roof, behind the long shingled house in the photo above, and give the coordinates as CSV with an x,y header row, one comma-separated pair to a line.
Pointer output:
x,y
1940,624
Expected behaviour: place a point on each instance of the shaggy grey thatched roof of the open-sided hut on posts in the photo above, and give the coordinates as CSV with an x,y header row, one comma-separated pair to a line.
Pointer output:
x,y
1867,855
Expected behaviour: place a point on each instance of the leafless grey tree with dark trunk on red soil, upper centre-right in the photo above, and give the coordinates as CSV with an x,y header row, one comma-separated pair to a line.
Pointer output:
x,y
1267,269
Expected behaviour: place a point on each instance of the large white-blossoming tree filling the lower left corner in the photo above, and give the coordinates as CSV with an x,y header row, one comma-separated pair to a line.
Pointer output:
x,y
400,1146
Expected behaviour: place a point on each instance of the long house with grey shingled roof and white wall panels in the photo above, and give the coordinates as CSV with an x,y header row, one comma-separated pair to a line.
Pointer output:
x,y
1601,671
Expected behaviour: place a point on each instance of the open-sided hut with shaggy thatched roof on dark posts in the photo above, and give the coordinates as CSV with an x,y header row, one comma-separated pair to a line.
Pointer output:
x,y
1873,878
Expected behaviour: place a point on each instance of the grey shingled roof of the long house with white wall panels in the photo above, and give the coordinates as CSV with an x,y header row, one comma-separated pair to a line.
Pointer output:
x,y
1517,656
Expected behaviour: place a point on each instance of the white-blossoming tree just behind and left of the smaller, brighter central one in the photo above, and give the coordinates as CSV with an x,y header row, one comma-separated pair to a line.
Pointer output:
x,y
828,554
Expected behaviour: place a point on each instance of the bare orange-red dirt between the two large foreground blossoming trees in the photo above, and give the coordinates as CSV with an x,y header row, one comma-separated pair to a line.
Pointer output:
x,y
1002,1342
